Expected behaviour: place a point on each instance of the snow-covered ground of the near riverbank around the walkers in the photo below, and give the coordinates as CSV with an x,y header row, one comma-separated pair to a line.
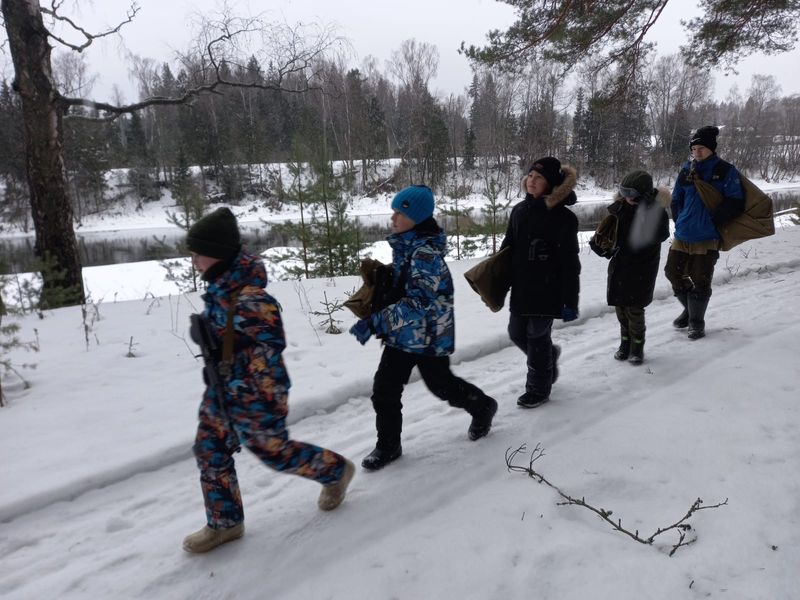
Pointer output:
x,y
98,486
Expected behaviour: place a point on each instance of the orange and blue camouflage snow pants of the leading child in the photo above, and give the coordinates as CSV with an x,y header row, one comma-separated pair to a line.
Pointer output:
x,y
266,436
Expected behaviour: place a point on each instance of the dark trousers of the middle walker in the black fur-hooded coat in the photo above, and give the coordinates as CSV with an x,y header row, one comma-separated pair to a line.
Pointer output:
x,y
532,336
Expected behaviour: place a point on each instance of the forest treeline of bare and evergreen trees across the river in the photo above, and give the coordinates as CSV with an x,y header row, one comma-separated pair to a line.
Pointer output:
x,y
361,116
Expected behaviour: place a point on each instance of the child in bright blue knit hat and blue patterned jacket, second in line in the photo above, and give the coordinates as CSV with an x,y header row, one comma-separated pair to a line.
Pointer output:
x,y
417,328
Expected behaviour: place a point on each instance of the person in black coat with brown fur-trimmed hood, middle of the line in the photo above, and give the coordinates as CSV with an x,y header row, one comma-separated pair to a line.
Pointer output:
x,y
545,269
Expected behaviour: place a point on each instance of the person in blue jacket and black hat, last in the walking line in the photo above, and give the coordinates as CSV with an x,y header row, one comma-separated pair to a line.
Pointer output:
x,y
695,249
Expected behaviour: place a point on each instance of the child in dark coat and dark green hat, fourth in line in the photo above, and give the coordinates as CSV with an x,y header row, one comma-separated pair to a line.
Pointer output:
x,y
638,223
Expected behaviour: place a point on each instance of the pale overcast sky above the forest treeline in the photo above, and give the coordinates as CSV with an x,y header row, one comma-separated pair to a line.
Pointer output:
x,y
373,27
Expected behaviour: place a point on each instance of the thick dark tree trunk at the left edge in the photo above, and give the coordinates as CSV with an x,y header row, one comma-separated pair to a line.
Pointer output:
x,y
42,114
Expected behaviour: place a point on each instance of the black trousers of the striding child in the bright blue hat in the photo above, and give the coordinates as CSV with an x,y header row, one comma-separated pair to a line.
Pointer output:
x,y
393,373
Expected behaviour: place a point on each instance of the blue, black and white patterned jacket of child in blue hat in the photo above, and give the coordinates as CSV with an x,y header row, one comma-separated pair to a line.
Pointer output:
x,y
422,321
